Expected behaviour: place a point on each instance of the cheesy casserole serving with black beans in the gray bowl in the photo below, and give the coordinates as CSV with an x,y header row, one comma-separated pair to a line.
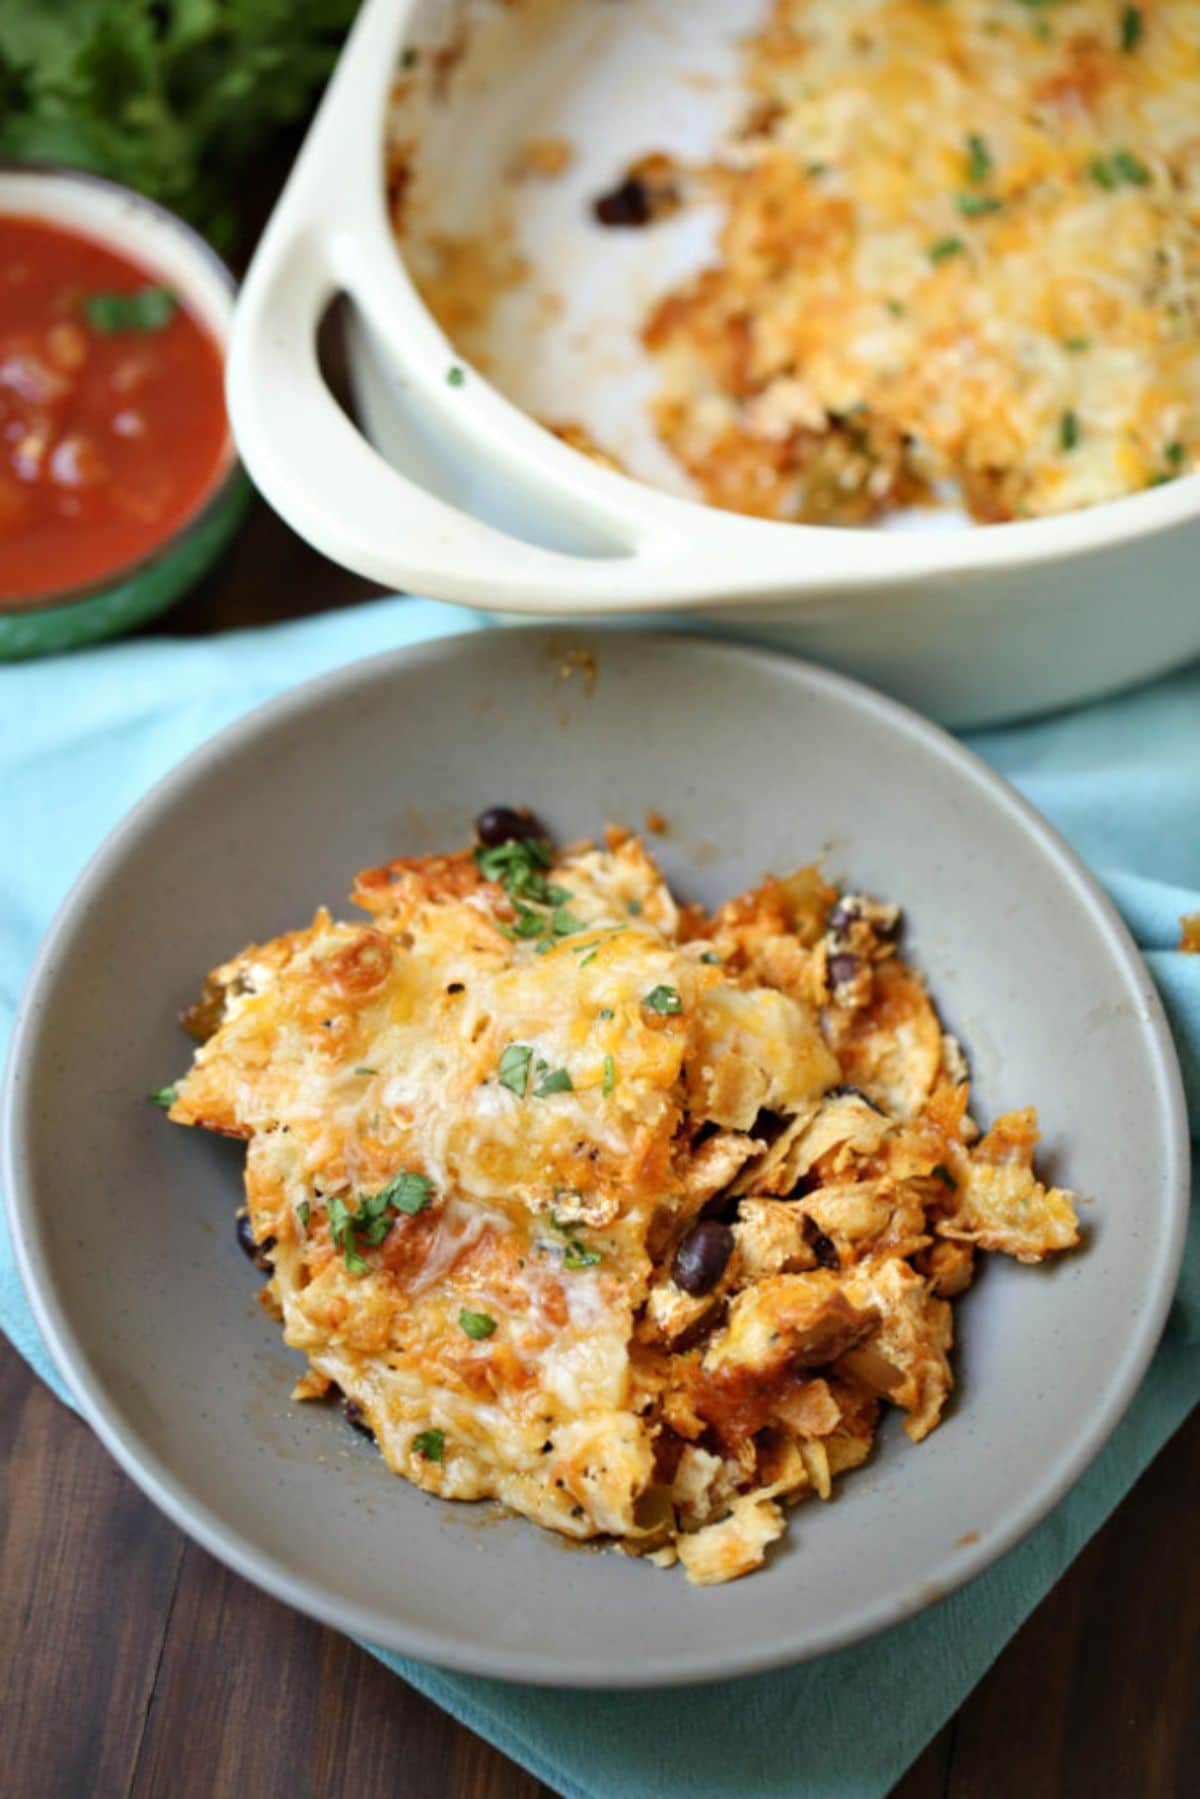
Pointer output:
x,y
479,1127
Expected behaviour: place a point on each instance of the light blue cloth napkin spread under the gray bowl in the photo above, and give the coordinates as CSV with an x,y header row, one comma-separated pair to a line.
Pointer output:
x,y
84,738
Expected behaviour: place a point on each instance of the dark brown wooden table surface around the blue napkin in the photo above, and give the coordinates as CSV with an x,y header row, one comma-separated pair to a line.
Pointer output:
x,y
132,1663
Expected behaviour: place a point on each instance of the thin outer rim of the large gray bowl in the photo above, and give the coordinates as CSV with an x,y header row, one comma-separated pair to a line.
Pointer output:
x,y
309,1593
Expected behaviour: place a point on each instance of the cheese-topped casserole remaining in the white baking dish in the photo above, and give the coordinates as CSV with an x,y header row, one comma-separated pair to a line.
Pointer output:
x,y
962,249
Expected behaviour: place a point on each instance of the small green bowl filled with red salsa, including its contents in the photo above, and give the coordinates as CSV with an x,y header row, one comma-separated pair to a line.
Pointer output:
x,y
118,474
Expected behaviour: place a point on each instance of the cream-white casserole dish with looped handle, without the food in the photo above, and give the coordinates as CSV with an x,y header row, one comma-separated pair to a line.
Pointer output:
x,y
469,499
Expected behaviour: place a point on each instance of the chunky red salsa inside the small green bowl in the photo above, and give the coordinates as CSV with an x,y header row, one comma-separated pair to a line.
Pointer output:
x,y
112,418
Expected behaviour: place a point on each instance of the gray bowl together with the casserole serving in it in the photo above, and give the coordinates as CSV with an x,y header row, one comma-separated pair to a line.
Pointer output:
x,y
123,1224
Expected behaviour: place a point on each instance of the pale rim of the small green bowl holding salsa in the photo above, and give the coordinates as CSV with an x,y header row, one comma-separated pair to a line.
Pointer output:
x,y
231,474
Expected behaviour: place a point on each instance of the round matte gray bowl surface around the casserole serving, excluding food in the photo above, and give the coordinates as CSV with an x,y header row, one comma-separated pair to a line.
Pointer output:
x,y
125,1226
